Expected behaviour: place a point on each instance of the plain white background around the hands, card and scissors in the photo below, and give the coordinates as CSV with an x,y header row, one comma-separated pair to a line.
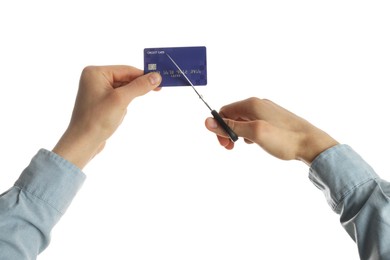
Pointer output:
x,y
163,188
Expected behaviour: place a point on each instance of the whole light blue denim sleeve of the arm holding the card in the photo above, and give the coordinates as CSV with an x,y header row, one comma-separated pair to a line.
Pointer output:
x,y
31,208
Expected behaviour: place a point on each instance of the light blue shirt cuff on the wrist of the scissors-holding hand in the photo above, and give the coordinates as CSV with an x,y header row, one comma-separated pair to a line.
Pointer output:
x,y
338,171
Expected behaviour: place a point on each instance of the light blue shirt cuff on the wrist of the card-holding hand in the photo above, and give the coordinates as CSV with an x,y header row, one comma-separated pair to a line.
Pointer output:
x,y
52,179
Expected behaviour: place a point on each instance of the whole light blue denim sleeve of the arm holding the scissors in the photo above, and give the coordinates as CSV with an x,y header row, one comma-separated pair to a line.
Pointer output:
x,y
361,198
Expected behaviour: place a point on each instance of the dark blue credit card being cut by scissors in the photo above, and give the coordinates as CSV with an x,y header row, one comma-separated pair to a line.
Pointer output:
x,y
191,60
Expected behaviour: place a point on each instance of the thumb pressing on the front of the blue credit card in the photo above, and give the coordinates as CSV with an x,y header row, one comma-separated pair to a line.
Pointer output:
x,y
141,85
